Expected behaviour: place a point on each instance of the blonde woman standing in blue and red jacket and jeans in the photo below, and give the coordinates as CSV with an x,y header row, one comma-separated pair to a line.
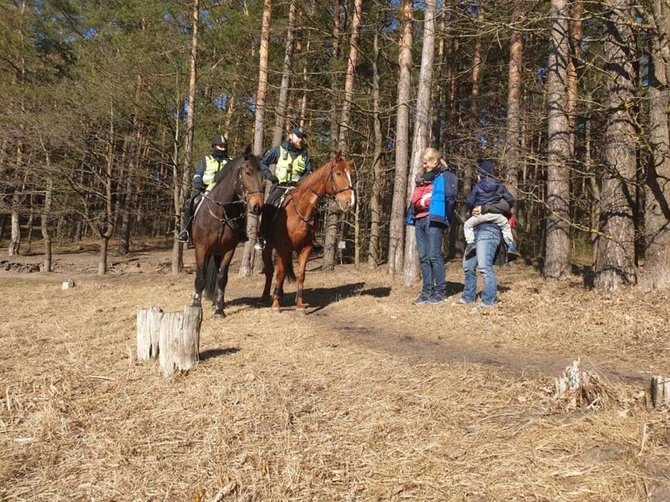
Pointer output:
x,y
431,213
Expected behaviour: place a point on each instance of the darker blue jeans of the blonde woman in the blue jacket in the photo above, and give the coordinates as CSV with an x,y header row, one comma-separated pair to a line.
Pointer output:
x,y
431,262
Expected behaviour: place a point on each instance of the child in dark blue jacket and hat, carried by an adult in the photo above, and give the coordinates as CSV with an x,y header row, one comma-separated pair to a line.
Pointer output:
x,y
492,199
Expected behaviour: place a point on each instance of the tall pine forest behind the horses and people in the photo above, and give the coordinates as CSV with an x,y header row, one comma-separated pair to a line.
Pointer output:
x,y
108,105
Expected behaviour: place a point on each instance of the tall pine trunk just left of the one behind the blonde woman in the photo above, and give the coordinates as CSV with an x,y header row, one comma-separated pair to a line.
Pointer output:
x,y
396,225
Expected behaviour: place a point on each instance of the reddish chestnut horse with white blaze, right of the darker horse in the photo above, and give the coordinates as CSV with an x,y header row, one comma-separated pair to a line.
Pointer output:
x,y
294,225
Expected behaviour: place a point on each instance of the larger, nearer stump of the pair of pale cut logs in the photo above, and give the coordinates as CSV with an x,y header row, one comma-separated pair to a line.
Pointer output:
x,y
179,340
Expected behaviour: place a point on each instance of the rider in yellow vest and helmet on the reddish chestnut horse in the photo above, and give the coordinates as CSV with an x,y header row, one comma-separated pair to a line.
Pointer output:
x,y
292,162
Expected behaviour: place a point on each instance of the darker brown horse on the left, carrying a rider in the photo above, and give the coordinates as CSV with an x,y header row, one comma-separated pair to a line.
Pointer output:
x,y
220,223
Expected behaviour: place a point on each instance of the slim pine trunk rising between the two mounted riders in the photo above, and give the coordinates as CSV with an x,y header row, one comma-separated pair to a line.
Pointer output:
x,y
249,255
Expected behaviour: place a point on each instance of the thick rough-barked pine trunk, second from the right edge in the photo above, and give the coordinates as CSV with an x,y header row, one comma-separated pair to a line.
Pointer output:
x,y
615,262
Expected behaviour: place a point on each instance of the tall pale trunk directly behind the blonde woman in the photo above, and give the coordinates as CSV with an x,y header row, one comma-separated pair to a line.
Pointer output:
x,y
421,131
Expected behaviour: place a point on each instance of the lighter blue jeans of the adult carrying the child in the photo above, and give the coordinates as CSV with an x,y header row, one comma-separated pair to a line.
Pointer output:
x,y
487,239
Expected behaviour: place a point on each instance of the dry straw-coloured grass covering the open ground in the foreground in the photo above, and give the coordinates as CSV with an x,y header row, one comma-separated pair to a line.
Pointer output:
x,y
366,398
